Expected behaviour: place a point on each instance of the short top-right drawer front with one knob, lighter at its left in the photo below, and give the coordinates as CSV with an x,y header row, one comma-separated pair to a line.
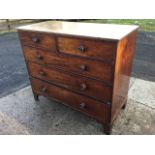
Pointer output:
x,y
102,50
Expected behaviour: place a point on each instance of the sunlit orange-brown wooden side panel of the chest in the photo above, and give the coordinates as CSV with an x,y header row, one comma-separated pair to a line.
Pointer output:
x,y
123,66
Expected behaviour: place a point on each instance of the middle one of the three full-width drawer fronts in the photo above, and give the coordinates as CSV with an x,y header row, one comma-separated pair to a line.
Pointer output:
x,y
78,84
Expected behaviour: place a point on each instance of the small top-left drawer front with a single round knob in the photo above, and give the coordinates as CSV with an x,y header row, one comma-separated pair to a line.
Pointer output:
x,y
35,39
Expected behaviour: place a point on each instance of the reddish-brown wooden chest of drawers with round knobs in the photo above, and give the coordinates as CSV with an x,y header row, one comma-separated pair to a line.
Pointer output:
x,y
83,65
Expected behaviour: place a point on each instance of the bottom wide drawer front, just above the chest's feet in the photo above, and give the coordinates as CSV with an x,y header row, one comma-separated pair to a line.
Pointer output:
x,y
89,106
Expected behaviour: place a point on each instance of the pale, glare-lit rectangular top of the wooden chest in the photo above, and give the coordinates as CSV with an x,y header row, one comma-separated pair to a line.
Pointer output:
x,y
93,30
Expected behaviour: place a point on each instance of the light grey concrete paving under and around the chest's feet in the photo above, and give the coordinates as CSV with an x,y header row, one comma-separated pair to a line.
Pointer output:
x,y
20,114
